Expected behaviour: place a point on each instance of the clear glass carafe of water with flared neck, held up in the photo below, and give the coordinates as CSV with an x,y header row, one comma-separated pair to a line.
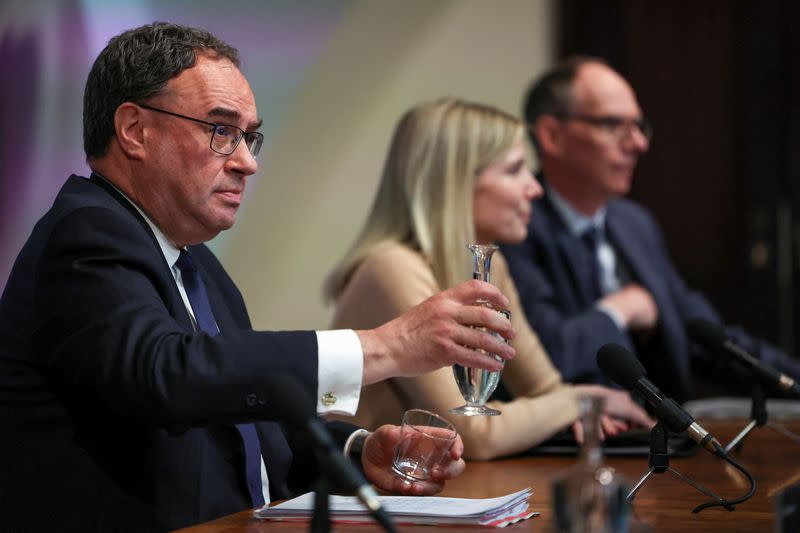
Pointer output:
x,y
477,384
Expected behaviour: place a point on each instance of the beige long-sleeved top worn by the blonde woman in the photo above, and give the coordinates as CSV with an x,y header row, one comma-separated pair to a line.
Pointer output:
x,y
394,278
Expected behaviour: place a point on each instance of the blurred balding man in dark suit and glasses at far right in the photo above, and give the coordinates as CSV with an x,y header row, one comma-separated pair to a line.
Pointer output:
x,y
594,268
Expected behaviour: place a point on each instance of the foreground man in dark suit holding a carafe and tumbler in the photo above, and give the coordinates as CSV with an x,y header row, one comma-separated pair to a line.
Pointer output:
x,y
132,386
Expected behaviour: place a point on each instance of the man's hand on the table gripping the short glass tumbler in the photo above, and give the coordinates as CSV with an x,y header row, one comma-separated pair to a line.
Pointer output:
x,y
378,454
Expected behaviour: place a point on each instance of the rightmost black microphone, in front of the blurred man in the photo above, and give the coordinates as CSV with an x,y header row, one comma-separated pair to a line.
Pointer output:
x,y
713,338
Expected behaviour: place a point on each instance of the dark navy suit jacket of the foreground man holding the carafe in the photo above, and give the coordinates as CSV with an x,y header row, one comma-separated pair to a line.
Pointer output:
x,y
114,412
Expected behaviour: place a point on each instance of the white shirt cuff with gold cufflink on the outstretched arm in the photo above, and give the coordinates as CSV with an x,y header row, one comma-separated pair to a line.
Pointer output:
x,y
340,369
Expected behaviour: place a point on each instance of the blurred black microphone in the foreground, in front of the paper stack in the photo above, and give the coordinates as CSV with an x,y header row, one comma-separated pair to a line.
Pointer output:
x,y
294,404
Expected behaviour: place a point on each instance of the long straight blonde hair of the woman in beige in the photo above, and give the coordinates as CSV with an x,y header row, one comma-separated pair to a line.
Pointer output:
x,y
426,193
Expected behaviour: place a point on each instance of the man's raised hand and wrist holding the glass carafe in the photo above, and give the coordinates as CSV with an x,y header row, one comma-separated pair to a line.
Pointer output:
x,y
439,332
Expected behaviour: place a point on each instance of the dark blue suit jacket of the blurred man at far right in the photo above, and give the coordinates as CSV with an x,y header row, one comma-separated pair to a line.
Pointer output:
x,y
552,273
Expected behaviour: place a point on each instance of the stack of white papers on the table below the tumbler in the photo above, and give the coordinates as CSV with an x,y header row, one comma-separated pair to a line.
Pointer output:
x,y
494,512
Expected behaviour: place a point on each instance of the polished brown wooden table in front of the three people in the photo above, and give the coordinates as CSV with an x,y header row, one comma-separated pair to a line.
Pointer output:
x,y
663,504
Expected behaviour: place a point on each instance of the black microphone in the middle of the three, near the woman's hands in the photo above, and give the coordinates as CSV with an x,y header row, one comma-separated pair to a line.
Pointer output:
x,y
622,367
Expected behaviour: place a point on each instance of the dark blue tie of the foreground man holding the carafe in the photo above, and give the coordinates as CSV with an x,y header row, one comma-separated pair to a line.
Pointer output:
x,y
196,291
